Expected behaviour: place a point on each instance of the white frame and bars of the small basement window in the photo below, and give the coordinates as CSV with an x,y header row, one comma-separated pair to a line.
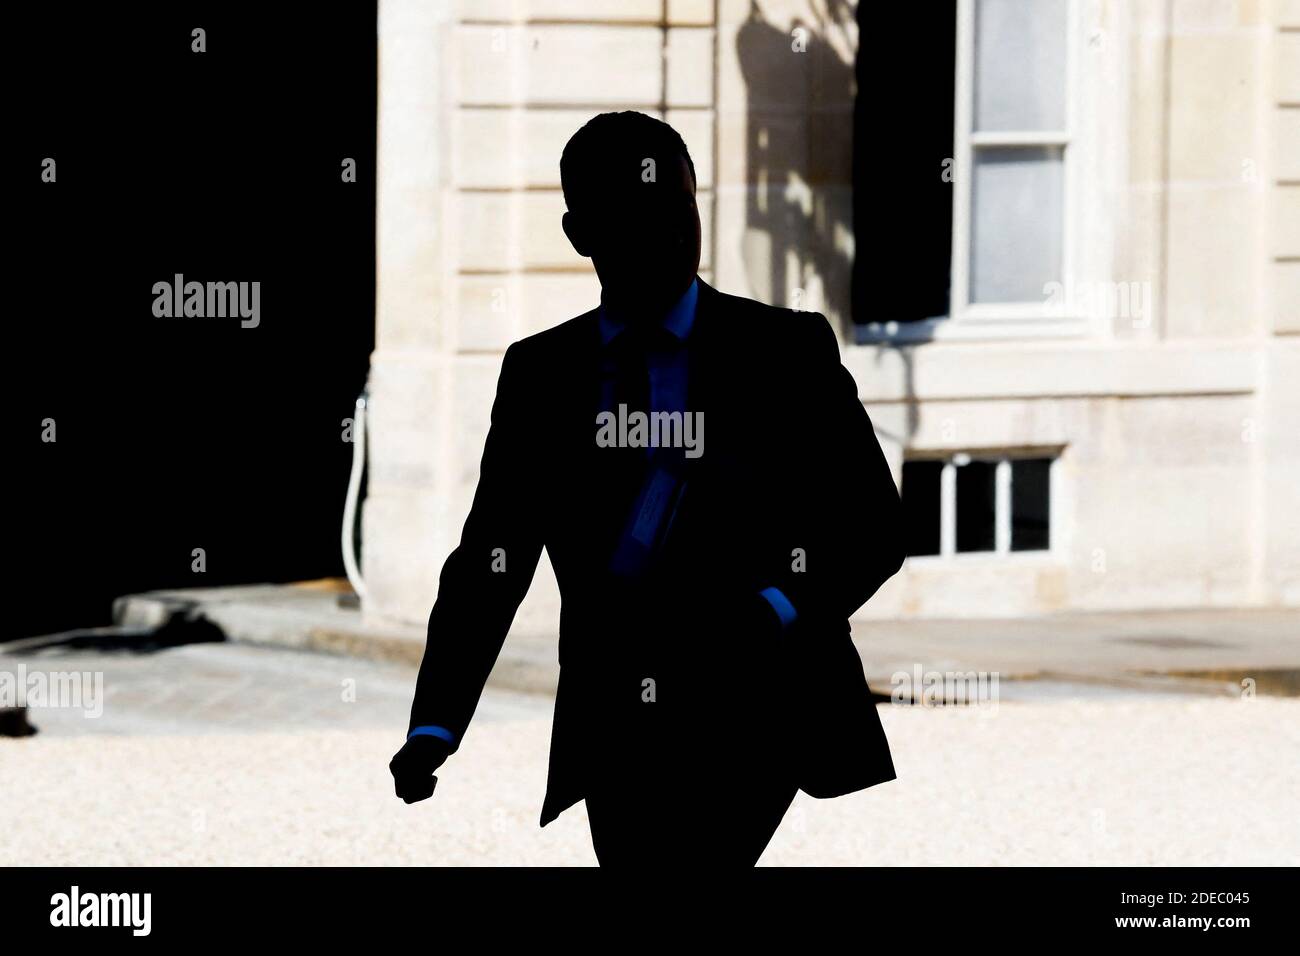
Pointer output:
x,y
1002,508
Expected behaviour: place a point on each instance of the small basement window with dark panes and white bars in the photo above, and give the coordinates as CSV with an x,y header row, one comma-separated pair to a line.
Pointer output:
x,y
978,504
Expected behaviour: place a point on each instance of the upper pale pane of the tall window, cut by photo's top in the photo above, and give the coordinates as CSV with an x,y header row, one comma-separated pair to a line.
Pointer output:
x,y
1020,64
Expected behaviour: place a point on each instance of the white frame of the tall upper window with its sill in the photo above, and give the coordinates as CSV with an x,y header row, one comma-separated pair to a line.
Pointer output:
x,y
969,321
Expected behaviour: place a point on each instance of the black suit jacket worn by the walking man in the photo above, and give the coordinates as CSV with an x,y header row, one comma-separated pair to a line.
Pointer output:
x,y
792,491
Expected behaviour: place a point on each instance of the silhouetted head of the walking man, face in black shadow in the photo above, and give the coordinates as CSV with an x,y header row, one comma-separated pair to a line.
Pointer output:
x,y
630,187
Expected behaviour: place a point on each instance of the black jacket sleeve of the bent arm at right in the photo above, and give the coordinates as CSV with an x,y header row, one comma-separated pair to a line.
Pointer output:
x,y
848,537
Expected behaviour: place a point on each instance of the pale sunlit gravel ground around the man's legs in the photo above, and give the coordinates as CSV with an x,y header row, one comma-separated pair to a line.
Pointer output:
x,y
1171,781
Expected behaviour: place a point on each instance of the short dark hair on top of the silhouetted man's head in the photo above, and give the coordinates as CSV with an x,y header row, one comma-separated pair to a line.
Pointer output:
x,y
614,146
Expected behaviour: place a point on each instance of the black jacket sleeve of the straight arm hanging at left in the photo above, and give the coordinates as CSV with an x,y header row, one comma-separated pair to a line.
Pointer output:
x,y
488,576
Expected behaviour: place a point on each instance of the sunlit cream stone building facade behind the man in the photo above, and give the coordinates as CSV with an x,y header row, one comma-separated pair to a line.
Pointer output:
x,y
1106,417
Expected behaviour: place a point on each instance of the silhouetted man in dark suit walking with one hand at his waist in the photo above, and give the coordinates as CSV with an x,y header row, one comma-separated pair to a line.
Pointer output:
x,y
716,505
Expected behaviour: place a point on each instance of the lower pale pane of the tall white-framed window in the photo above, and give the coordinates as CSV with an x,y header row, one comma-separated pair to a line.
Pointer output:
x,y
1017,213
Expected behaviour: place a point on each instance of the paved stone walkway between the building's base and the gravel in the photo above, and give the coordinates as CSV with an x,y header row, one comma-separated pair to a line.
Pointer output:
x,y
1223,646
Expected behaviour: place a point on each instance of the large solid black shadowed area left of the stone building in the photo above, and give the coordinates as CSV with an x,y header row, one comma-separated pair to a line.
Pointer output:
x,y
226,166
